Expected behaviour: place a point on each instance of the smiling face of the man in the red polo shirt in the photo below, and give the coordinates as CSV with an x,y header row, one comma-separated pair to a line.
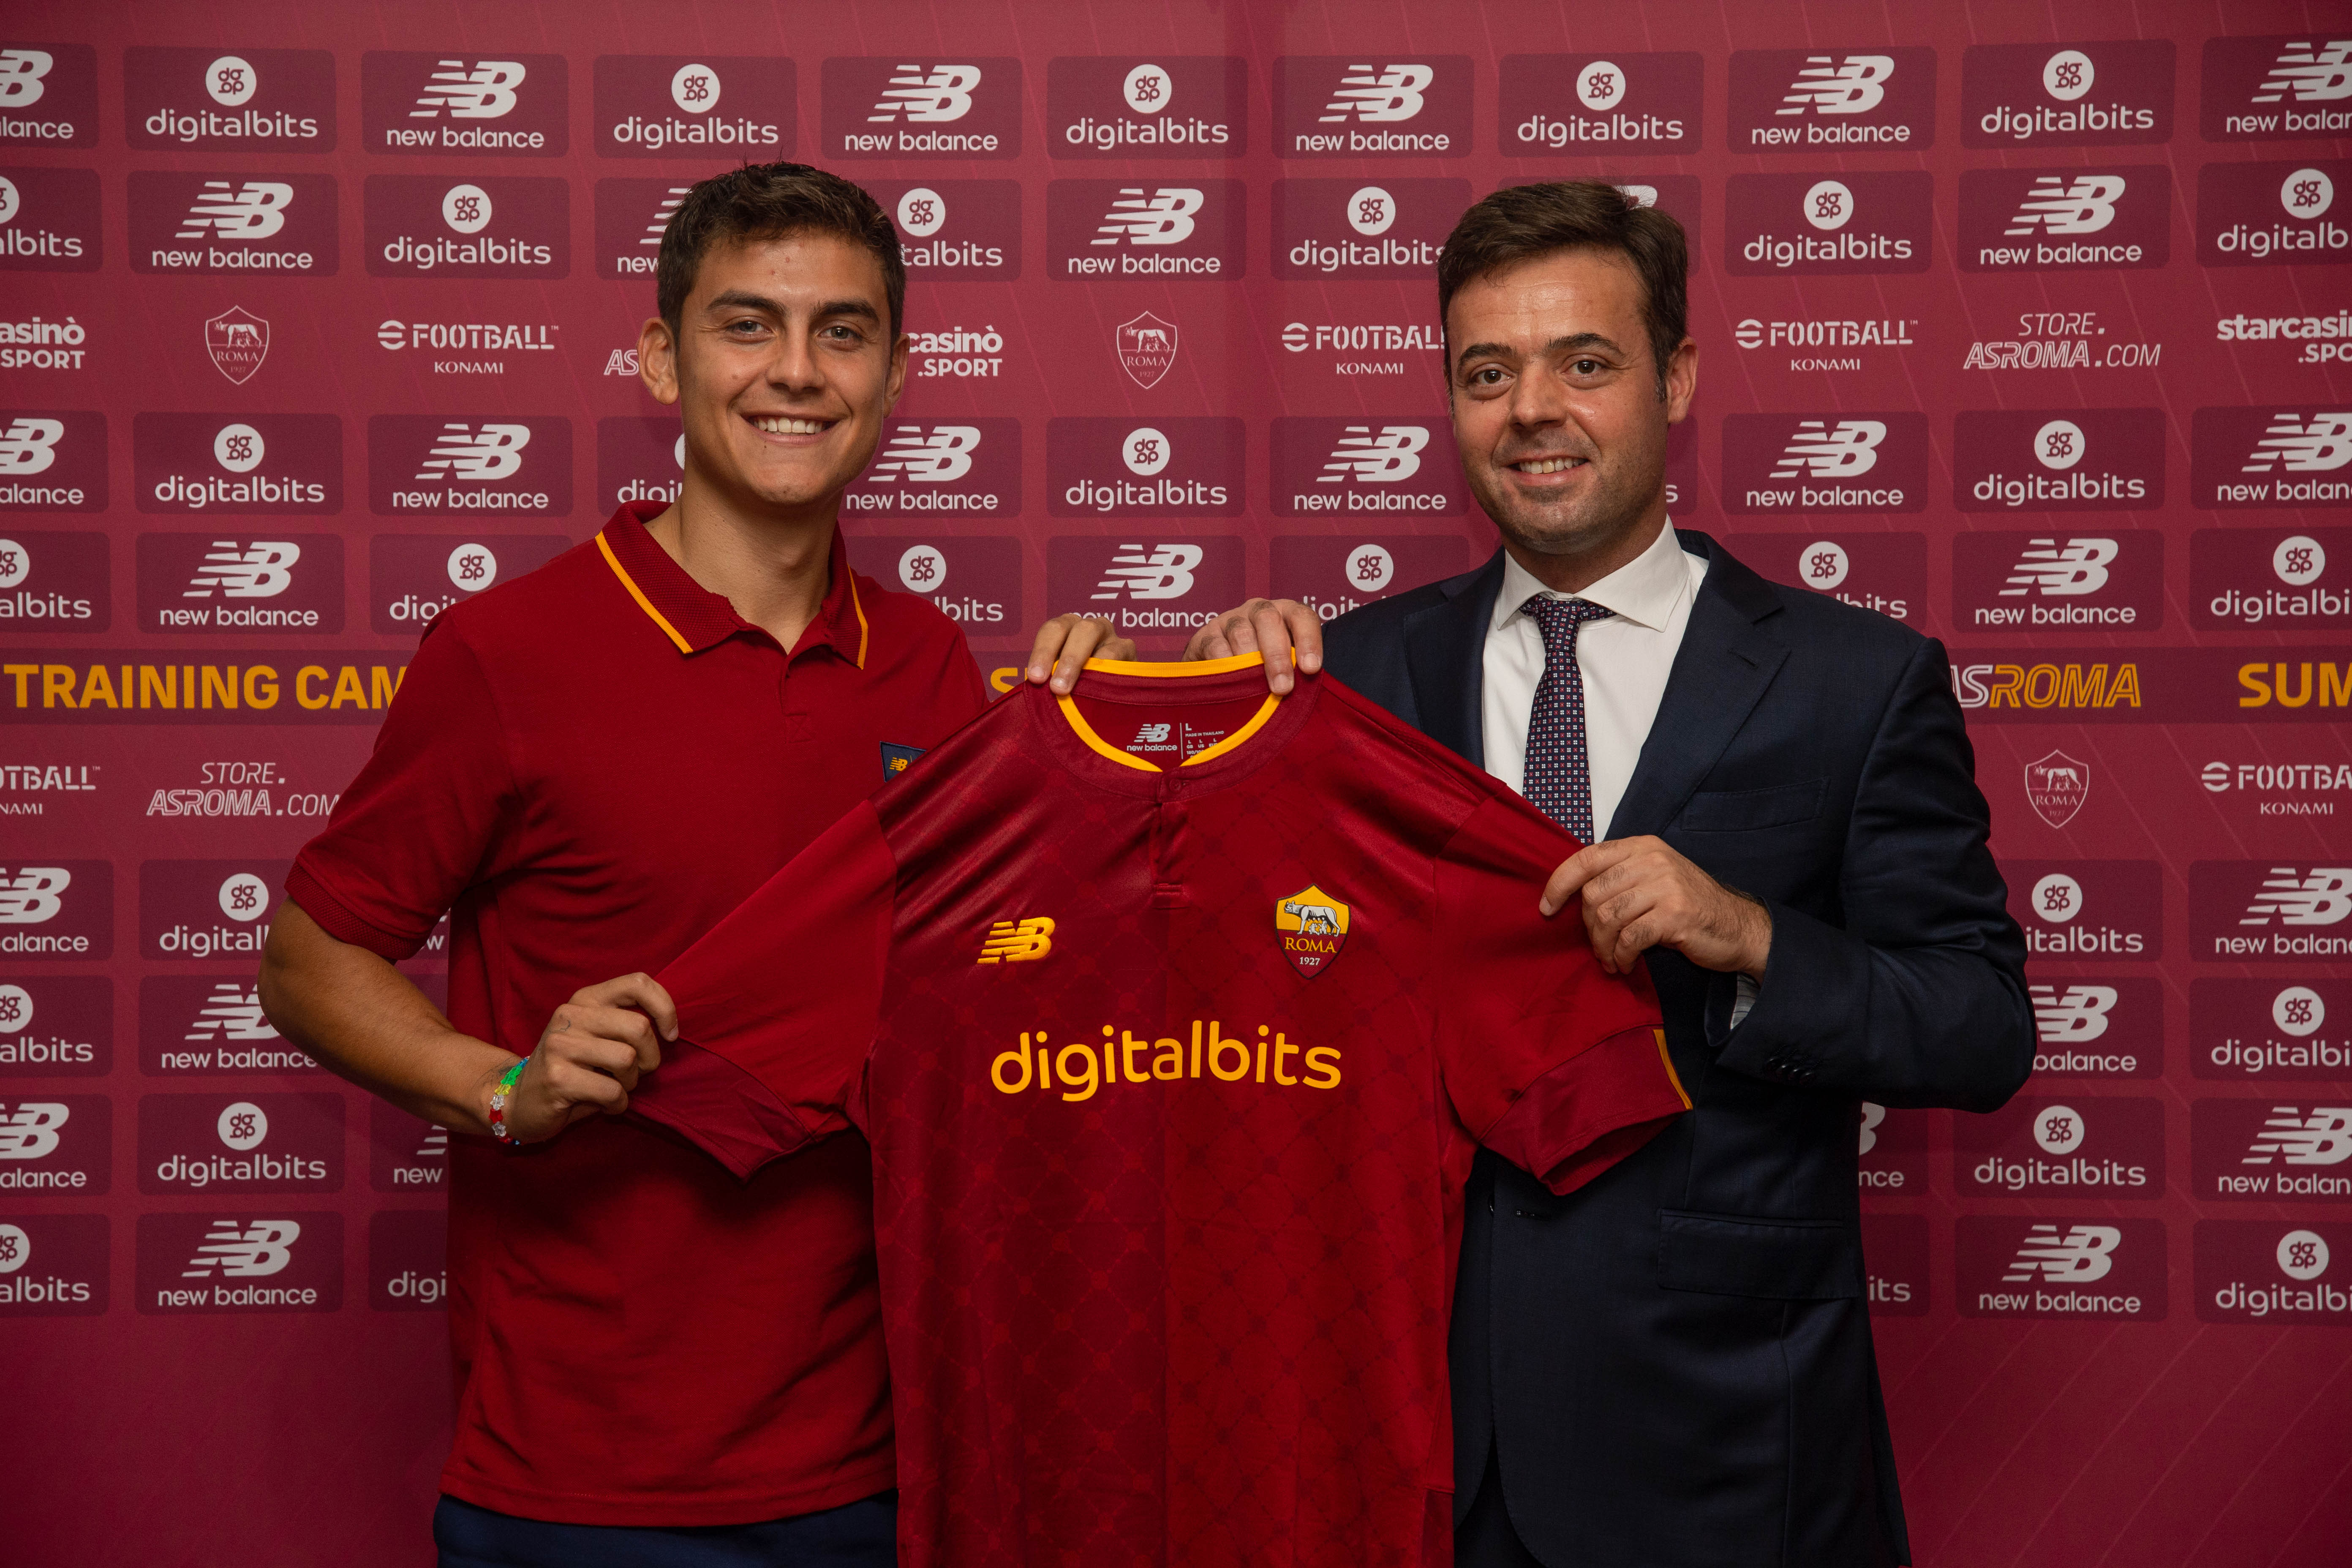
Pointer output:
x,y
784,370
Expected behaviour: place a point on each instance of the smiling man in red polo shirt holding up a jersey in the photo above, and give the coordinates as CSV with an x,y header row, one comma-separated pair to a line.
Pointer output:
x,y
587,770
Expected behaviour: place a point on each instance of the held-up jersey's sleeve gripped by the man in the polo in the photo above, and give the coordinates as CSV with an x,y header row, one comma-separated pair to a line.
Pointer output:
x,y
780,1003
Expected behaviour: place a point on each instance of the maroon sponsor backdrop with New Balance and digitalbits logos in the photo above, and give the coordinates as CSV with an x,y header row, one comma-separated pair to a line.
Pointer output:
x,y
2022,326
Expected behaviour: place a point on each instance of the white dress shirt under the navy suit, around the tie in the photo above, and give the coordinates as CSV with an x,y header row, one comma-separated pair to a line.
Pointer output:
x,y
1624,662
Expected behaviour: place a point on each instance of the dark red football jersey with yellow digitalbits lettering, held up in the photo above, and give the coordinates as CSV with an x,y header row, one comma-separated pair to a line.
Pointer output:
x,y
1175,1014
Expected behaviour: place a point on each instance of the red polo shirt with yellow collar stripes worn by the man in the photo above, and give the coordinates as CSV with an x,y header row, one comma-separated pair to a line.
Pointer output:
x,y
587,770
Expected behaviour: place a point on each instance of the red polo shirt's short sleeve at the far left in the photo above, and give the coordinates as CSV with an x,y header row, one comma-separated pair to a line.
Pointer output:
x,y
420,822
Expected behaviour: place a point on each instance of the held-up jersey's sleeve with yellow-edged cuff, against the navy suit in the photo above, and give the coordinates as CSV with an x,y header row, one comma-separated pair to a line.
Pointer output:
x,y
1549,1059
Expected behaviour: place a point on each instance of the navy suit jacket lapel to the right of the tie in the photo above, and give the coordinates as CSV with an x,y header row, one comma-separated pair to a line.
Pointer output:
x,y
1728,659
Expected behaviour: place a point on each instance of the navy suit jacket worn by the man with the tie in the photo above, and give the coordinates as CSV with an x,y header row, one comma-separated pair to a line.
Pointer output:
x,y
1673,1365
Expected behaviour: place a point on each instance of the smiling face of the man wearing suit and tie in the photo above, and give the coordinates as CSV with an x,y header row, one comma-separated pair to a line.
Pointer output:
x,y
1558,413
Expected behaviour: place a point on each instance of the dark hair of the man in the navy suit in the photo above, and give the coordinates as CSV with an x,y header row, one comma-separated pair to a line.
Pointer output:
x,y
1528,222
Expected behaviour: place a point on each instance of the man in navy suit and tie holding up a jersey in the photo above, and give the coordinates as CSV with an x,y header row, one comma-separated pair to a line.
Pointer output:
x,y
1673,1367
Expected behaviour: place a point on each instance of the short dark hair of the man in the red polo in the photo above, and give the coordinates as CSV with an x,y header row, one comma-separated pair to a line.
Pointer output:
x,y
768,201
